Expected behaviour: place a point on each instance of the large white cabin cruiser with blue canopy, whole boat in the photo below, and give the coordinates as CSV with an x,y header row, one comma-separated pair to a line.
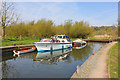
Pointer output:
x,y
57,42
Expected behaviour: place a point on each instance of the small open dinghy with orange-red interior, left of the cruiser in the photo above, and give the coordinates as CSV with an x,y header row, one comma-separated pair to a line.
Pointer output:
x,y
23,50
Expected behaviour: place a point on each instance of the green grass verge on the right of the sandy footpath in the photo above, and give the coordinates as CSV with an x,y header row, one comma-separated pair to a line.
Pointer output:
x,y
113,62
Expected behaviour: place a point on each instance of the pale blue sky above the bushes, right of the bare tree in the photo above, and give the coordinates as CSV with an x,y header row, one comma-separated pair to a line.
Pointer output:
x,y
95,13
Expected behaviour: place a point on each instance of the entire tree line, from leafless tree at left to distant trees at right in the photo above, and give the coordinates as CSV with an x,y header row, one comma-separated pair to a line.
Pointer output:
x,y
43,28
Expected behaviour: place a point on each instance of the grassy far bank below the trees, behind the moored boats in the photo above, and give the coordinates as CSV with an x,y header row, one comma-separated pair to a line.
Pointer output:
x,y
11,41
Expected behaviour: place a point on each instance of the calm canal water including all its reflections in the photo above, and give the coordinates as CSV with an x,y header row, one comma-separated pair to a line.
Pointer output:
x,y
57,64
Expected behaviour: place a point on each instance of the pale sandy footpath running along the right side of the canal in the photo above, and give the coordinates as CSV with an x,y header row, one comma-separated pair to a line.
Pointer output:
x,y
95,66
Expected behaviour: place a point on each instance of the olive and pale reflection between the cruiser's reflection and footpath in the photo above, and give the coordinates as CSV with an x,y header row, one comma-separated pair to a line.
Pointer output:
x,y
84,53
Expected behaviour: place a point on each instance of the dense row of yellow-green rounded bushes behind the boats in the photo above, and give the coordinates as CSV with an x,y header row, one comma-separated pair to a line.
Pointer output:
x,y
46,28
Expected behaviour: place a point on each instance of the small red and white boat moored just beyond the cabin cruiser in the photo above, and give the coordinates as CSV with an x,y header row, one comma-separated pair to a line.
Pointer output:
x,y
78,44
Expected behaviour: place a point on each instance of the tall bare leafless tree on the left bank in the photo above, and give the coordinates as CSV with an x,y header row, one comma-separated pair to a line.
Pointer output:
x,y
7,15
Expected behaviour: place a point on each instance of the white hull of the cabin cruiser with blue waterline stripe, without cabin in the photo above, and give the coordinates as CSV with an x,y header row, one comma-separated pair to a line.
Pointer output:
x,y
41,47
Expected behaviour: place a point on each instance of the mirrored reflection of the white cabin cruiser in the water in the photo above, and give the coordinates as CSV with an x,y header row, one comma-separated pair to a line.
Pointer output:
x,y
52,57
